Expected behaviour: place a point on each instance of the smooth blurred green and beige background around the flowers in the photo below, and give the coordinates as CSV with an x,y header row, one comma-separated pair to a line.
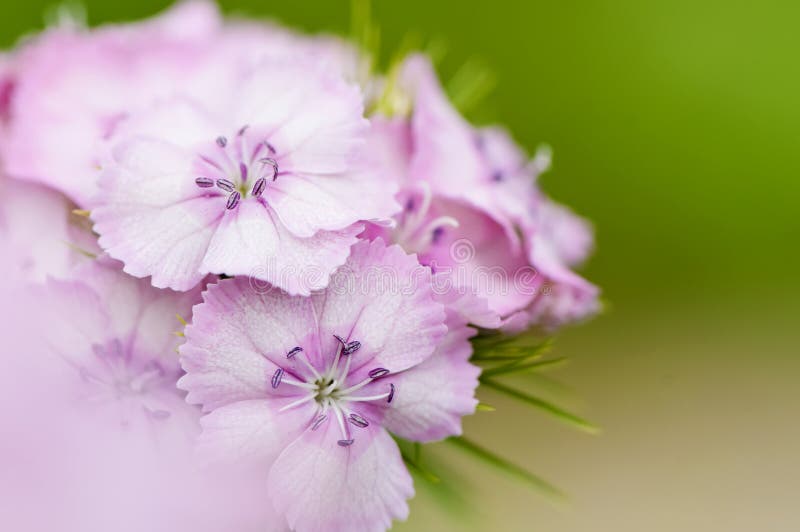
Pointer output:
x,y
676,129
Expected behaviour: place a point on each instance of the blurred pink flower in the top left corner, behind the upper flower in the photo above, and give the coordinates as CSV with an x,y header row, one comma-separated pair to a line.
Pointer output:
x,y
73,86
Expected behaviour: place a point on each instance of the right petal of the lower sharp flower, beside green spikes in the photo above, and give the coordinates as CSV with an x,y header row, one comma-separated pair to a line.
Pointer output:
x,y
431,398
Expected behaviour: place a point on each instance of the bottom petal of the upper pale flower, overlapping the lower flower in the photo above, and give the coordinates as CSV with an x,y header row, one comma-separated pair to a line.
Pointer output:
x,y
251,240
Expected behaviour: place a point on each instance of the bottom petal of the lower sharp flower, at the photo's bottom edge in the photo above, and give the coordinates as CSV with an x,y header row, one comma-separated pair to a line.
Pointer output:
x,y
319,485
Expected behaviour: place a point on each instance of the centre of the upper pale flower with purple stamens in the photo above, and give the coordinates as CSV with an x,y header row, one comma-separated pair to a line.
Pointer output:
x,y
238,169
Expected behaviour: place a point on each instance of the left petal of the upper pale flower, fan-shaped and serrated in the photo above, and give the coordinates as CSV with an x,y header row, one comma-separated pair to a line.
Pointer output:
x,y
151,216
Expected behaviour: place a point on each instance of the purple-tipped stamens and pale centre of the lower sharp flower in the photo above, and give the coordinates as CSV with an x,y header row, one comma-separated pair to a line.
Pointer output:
x,y
334,398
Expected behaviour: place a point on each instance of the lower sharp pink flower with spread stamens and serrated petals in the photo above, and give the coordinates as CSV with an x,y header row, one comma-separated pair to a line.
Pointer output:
x,y
305,388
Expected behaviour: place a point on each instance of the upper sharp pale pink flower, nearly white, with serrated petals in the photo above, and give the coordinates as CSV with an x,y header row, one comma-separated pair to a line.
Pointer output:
x,y
267,181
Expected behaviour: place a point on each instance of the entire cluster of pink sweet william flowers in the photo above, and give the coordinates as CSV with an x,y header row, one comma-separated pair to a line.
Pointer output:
x,y
248,271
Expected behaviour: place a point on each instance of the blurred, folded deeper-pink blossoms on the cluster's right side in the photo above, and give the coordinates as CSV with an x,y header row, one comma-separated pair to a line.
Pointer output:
x,y
473,212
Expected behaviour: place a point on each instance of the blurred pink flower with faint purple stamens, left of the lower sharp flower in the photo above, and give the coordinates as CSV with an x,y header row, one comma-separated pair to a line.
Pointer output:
x,y
114,337
